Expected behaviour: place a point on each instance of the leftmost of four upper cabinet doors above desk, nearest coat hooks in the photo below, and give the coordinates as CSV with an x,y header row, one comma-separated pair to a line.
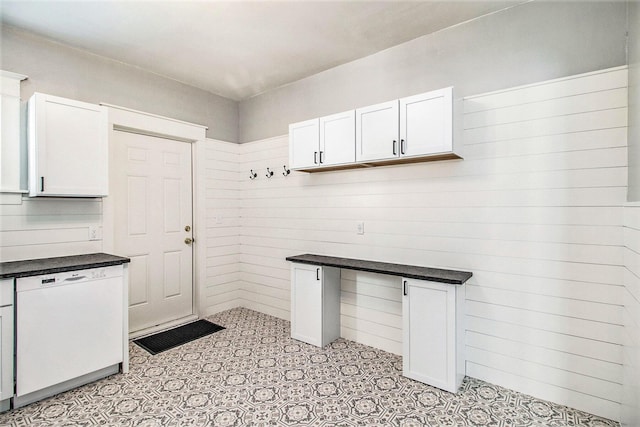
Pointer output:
x,y
304,144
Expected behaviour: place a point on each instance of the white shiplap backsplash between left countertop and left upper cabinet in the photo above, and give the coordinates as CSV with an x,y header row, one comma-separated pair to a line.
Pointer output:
x,y
40,228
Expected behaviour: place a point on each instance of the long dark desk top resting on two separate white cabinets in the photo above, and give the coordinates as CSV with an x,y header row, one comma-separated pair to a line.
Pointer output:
x,y
453,277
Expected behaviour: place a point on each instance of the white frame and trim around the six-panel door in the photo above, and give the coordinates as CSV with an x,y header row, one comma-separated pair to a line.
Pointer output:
x,y
133,121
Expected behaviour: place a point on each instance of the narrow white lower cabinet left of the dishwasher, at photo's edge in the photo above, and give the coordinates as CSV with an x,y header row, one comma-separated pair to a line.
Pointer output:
x,y
6,343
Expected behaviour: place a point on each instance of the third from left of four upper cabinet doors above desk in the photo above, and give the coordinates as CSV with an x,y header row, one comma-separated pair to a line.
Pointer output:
x,y
377,132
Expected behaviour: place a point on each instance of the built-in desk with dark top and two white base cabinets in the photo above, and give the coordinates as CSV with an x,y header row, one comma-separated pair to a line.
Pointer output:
x,y
432,312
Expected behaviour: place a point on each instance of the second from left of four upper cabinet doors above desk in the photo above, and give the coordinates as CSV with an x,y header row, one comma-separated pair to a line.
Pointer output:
x,y
338,139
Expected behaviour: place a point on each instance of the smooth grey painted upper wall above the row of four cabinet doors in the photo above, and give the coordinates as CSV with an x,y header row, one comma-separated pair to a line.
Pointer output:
x,y
527,43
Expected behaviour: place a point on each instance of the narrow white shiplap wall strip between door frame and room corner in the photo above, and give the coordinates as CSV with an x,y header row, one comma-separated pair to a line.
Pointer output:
x,y
220,178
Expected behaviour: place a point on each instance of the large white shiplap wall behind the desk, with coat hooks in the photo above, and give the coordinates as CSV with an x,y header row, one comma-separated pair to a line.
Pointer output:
x,y
535,210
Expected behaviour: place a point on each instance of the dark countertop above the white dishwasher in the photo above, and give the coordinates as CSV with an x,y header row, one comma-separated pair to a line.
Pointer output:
x,y
36,267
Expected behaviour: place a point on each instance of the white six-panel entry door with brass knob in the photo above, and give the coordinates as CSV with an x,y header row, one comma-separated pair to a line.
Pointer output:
x,y
153,218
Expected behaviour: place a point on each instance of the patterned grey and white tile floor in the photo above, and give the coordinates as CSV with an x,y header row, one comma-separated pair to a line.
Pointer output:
x,y
254,374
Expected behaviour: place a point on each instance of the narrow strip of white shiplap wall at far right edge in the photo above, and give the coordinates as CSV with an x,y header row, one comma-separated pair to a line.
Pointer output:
x,y
631,353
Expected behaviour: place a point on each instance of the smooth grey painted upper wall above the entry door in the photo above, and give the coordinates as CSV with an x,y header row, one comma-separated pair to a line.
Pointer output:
x,y
61,70
